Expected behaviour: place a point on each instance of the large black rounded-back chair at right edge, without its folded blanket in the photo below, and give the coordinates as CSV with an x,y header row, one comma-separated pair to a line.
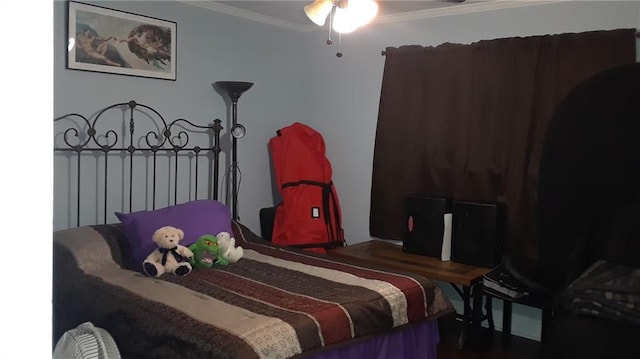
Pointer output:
x,y
589,209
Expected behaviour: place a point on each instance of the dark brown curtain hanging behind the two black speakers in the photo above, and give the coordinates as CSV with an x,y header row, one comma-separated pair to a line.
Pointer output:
x,y
468,122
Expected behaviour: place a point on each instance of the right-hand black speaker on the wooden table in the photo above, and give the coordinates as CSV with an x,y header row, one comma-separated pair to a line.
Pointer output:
x,y
478,232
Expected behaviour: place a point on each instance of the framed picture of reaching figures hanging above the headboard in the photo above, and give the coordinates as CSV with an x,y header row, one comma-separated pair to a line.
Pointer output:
x,y
117,42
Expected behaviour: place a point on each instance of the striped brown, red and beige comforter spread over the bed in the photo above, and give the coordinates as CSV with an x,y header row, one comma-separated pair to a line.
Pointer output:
x,y
273,303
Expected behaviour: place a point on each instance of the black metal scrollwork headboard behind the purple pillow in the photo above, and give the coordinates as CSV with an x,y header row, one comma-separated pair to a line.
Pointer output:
x,y
127,157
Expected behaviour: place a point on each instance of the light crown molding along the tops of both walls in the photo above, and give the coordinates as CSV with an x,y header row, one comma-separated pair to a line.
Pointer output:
x,y
460,9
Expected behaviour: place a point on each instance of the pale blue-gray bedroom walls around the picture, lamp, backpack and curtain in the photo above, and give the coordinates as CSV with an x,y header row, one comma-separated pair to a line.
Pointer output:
x,y
299,78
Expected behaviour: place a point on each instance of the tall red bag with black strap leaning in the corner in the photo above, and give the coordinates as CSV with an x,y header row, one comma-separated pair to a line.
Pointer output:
x,y
309,215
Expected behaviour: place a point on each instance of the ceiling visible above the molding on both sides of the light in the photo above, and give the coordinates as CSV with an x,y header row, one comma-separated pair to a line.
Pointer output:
x,y
290,14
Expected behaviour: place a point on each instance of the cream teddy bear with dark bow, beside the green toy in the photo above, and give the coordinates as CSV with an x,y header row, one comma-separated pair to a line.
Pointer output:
x,y
169,257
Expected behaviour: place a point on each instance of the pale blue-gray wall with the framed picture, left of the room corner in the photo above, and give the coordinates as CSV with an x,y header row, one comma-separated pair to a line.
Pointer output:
x,y
210,47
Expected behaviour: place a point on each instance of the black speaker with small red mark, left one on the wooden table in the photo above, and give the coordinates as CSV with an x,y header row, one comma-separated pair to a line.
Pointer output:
x,y
425,224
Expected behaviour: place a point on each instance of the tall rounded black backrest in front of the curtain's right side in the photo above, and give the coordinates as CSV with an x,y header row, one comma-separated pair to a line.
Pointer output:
x,y
590,168
